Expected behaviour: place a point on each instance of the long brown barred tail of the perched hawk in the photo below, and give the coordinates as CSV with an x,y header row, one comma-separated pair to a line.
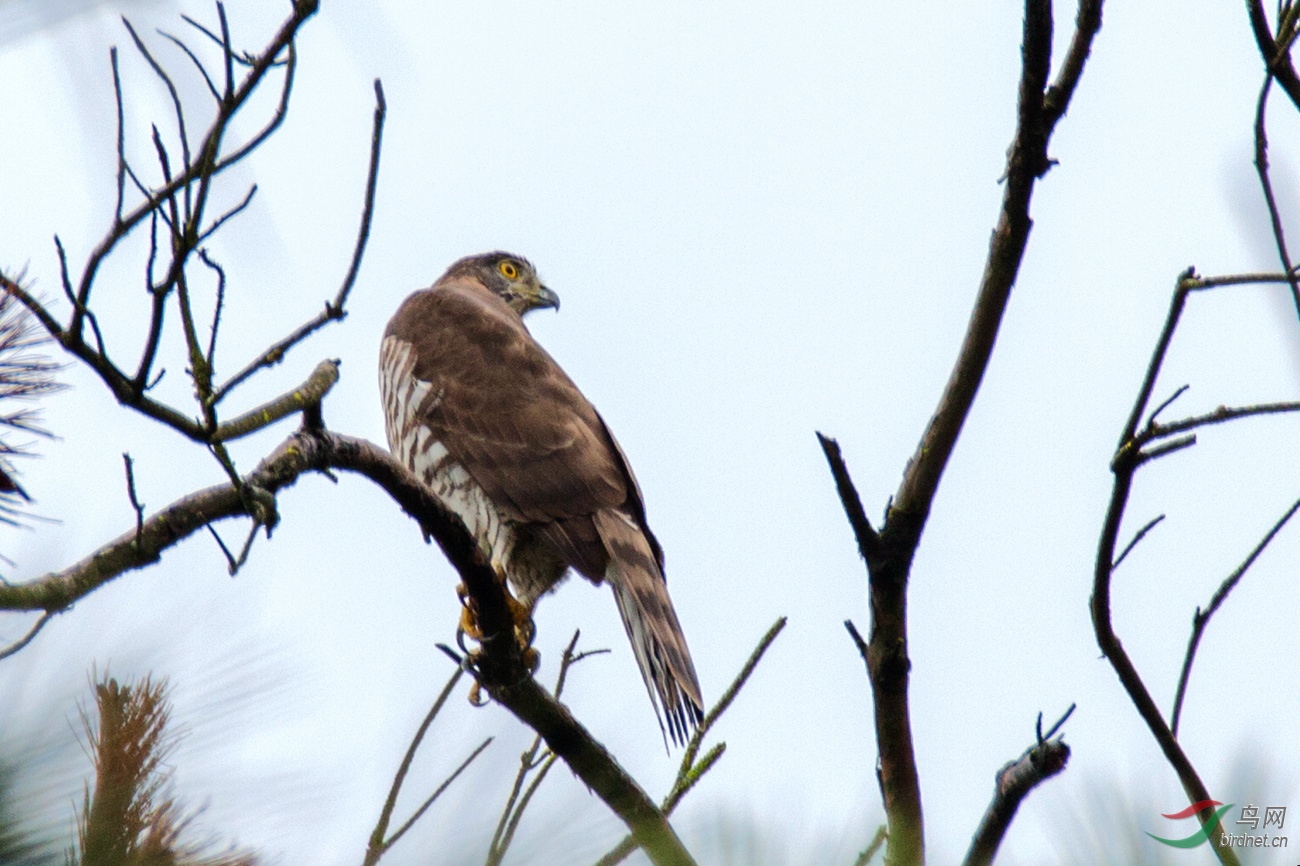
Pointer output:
x,y
652,625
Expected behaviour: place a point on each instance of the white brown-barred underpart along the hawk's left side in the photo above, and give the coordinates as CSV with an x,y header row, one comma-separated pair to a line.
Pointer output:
x,y
406,400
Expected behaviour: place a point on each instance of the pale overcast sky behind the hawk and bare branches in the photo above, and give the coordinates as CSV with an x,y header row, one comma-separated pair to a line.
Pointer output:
x,y
764,219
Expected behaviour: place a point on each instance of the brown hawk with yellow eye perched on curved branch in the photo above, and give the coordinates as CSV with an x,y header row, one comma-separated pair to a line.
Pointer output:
x,y
484,417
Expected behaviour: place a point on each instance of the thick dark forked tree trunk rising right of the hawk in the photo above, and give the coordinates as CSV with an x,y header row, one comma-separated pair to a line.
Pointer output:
x,y
890,556
